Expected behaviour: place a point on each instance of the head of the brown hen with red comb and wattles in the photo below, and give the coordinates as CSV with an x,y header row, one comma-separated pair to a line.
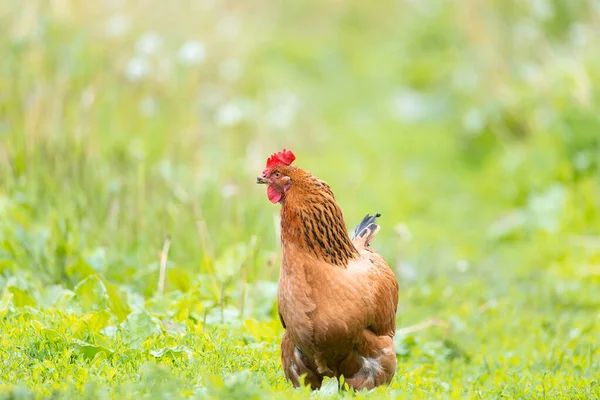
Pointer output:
x,y
278,175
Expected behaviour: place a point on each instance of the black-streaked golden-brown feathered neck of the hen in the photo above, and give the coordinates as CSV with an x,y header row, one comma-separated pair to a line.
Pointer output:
x,y
312,221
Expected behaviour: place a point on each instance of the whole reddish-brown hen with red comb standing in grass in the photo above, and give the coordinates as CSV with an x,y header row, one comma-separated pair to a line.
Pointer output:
x,y
337,297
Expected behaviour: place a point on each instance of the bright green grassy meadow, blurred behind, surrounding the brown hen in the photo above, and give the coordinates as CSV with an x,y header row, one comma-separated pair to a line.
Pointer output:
x,y
472,128
